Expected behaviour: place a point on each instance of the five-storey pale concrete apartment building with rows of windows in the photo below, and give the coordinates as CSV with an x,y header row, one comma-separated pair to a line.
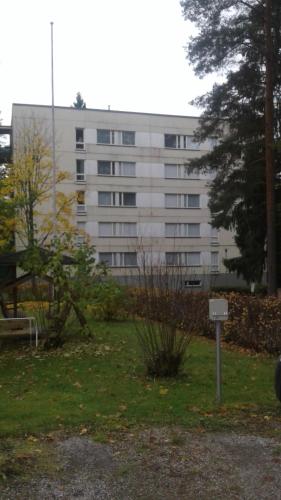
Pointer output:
x,y
136,198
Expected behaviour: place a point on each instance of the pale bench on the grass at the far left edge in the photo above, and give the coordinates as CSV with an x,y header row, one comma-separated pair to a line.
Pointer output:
x,y
15,327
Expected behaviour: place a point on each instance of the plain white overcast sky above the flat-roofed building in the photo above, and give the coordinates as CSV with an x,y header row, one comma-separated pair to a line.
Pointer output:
x,y
128,54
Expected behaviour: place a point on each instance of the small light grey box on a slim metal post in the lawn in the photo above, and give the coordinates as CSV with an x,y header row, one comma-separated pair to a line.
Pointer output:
x,y
218,311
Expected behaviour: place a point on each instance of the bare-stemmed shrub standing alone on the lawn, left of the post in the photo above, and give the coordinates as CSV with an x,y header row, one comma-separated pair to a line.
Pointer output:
x,y
164,334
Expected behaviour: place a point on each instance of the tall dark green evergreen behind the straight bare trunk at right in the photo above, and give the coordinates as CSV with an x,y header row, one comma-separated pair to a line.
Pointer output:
x,y
230,39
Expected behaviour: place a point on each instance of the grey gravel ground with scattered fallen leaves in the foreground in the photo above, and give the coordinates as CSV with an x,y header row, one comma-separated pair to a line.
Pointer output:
x,y
157,464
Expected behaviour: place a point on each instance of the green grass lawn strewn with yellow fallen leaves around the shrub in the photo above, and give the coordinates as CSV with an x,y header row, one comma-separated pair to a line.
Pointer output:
x,y
101,387
